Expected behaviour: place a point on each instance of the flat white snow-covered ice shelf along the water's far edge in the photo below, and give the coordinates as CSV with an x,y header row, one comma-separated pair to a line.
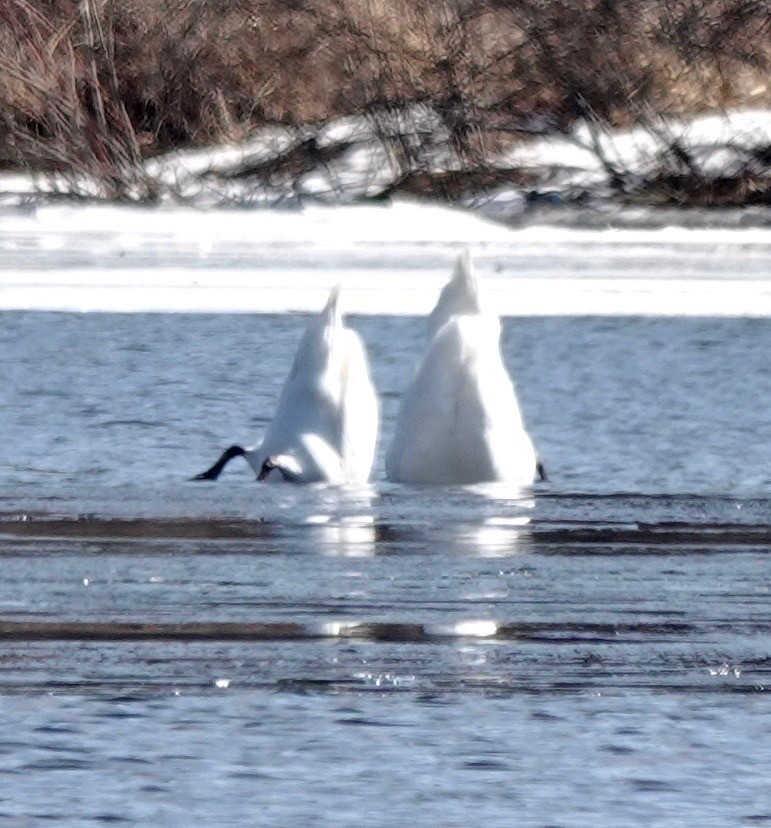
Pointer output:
x,y
388,260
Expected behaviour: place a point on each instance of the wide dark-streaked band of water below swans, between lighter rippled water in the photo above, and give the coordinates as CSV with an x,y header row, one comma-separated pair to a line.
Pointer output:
x,y
501,596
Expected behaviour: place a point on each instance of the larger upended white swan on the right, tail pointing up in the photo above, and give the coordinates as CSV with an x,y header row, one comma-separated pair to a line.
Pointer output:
x,y
459,421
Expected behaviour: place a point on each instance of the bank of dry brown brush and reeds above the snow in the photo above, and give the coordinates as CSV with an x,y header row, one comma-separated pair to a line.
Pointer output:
x,y
90,88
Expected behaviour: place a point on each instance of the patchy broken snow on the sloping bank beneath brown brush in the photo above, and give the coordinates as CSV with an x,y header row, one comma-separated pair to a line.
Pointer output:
x,y
366,163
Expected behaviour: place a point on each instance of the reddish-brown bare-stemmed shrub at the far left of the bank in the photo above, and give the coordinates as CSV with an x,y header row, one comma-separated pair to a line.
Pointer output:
x,y
61,113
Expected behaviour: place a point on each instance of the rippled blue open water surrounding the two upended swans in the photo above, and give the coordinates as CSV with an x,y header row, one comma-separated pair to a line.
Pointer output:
x,y
593,651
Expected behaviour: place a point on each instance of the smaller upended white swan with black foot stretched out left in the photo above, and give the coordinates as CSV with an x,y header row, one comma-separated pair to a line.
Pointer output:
x,y
326,423
